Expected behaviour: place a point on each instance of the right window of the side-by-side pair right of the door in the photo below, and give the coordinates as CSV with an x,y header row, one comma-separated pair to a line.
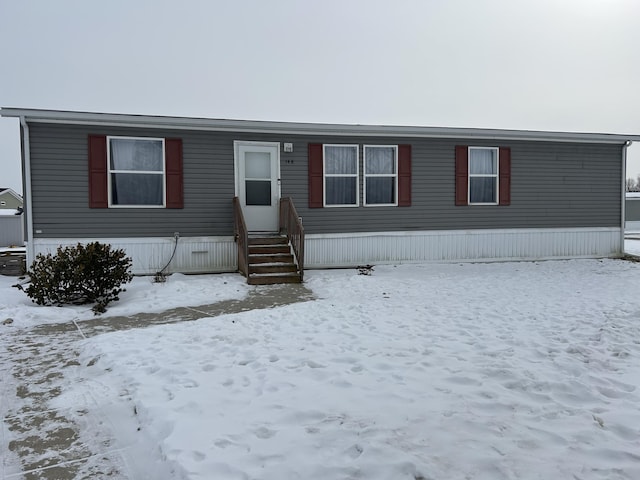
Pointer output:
x,y
381,175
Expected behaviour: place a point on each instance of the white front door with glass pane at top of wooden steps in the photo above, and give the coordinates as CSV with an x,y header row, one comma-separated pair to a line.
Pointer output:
x,y
257,186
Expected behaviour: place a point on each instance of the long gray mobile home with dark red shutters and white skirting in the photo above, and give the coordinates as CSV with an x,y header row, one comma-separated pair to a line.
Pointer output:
x,y
366,194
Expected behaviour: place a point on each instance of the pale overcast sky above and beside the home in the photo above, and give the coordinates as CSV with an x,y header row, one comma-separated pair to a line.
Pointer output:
x,y
560,65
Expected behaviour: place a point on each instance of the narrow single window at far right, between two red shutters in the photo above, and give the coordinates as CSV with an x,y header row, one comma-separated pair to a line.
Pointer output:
x,y
483,176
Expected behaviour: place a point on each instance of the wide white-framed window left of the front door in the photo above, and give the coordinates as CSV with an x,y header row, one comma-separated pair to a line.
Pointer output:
x,y
136,172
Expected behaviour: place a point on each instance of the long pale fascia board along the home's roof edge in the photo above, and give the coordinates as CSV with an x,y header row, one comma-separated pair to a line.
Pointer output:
x,y
314,129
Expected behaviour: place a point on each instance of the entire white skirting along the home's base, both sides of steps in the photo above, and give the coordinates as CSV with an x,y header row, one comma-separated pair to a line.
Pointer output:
x,y
219,254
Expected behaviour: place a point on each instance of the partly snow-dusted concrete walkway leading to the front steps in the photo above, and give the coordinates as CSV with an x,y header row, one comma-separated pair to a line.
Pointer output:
x,y
45,443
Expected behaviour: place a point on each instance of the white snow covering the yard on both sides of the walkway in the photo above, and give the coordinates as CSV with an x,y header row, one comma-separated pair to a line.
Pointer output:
x,y
456,371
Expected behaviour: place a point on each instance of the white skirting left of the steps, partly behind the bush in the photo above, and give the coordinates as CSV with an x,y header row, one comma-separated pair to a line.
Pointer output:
x,y
149,255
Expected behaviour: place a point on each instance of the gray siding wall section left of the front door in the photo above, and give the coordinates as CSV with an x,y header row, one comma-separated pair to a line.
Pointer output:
x,y
60,179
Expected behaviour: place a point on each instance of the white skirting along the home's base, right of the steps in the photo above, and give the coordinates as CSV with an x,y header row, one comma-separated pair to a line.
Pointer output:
x,y
348,250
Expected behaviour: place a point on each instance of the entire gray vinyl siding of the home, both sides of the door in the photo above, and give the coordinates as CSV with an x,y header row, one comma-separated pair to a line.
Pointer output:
x,y
552,185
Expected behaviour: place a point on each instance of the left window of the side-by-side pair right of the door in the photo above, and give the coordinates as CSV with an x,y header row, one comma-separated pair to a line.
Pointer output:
x,y
341,170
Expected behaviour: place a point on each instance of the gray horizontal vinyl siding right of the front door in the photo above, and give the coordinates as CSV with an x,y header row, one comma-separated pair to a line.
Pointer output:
x,y
552,185
